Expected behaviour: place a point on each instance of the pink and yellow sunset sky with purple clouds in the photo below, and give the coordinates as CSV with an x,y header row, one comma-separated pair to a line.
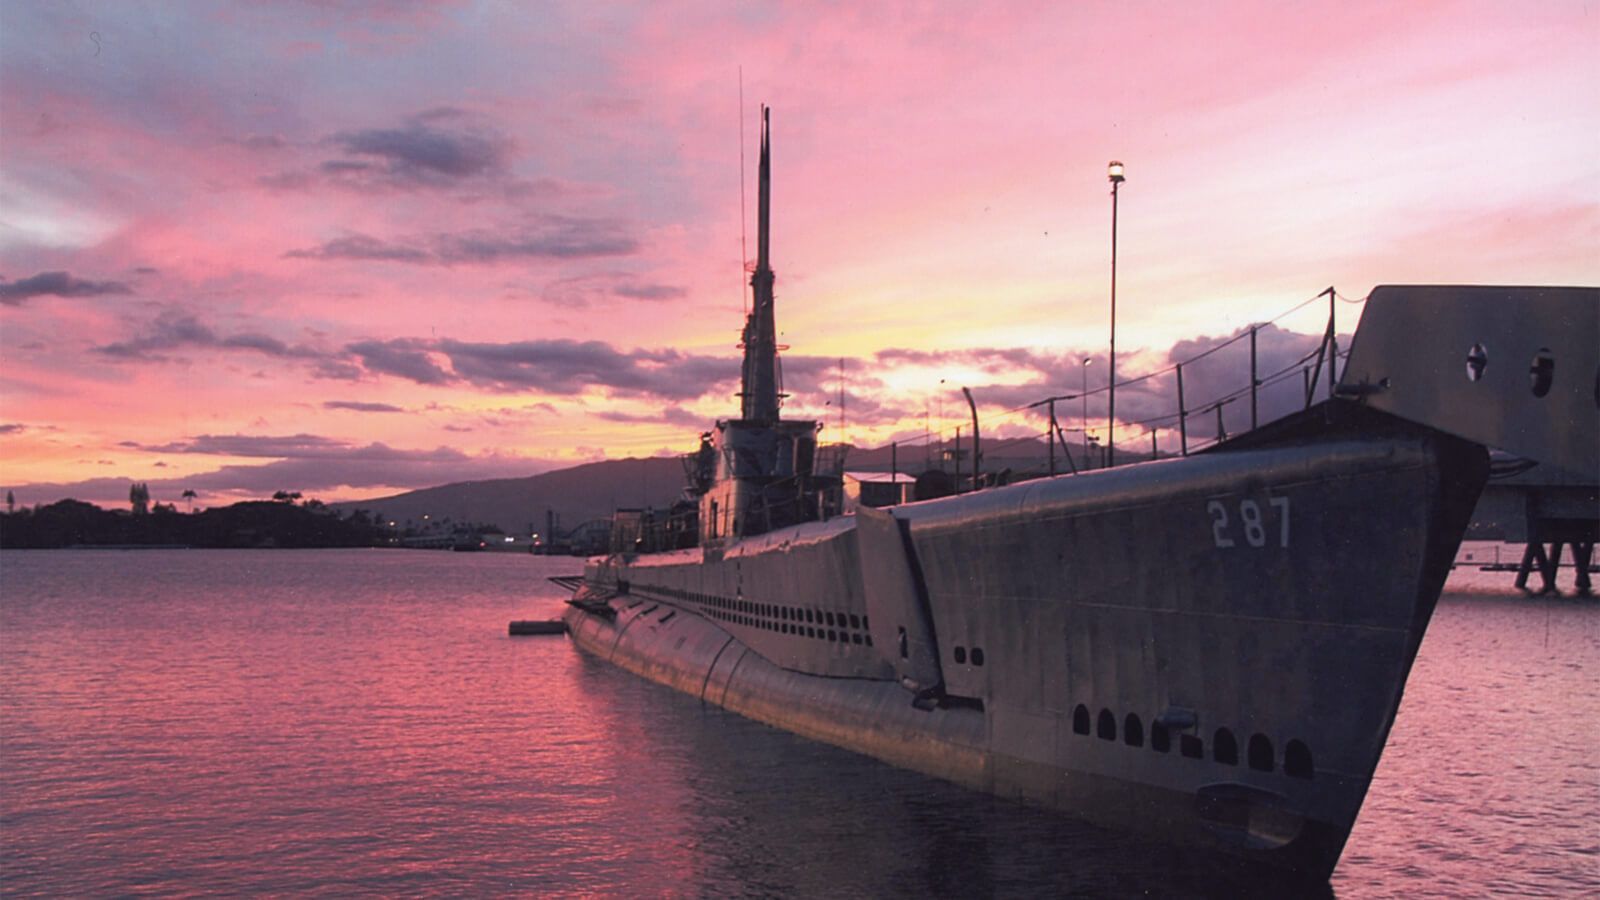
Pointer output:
x,y
353,249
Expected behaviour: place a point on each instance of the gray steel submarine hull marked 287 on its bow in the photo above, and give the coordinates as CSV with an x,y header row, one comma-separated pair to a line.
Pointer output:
x,y
1260,609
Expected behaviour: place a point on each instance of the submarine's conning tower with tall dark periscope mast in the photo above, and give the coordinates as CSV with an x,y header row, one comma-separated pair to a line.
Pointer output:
x,y
764,465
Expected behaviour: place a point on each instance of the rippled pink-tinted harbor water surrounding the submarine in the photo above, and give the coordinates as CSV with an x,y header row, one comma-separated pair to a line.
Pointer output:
x,y
359,723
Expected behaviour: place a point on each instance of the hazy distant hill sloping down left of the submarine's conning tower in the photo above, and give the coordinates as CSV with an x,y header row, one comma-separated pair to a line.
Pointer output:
x,y
577,496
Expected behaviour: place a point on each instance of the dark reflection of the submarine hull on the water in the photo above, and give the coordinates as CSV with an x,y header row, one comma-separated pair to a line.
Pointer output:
x,y
777,816
